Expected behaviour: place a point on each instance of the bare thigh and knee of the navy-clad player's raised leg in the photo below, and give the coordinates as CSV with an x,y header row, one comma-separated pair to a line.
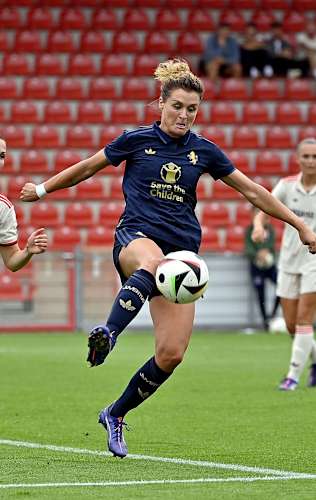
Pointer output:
x,y
141,253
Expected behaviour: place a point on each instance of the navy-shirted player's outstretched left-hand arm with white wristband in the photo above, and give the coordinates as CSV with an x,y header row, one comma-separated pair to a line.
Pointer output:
x,y
66,178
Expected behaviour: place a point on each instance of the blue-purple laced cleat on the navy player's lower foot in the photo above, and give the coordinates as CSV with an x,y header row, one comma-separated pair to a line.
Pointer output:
x,y
114,428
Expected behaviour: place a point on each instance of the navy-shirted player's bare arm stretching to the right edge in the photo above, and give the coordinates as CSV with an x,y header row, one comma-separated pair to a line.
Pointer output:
x,y
262,199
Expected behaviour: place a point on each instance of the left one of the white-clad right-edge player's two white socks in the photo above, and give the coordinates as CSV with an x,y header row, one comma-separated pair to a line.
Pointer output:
x,y
301,349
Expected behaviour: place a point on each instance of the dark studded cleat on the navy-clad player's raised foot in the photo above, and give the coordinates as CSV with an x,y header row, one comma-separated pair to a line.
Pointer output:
x,y
100,343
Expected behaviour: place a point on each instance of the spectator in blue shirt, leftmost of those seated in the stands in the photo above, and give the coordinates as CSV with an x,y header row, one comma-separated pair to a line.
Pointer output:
x,y
222,54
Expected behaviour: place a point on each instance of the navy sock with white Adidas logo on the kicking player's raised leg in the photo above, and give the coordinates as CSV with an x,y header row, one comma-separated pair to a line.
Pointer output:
x,y
130,300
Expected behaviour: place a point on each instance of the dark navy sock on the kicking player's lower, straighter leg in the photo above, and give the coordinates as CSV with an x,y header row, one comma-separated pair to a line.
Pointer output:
x,y
142,385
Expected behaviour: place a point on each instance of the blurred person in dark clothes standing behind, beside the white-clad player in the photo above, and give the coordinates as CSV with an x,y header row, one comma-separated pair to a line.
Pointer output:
x,y
262,268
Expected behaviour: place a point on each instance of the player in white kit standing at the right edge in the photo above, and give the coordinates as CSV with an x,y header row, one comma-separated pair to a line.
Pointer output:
x,y
297,269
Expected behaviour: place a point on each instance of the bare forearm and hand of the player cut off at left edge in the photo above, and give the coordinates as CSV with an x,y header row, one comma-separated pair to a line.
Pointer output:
x,y
14,258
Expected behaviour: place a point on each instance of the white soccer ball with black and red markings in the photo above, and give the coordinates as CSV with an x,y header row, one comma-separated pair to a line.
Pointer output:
x,y
182,277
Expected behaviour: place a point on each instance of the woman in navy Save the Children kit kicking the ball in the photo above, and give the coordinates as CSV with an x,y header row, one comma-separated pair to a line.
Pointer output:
x,y
163,165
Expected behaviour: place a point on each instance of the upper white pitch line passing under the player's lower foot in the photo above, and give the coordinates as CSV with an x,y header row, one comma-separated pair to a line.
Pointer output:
x,y
182,461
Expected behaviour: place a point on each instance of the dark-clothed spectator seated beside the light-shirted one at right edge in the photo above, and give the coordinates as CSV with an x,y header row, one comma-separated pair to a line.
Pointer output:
x,y
281,55
